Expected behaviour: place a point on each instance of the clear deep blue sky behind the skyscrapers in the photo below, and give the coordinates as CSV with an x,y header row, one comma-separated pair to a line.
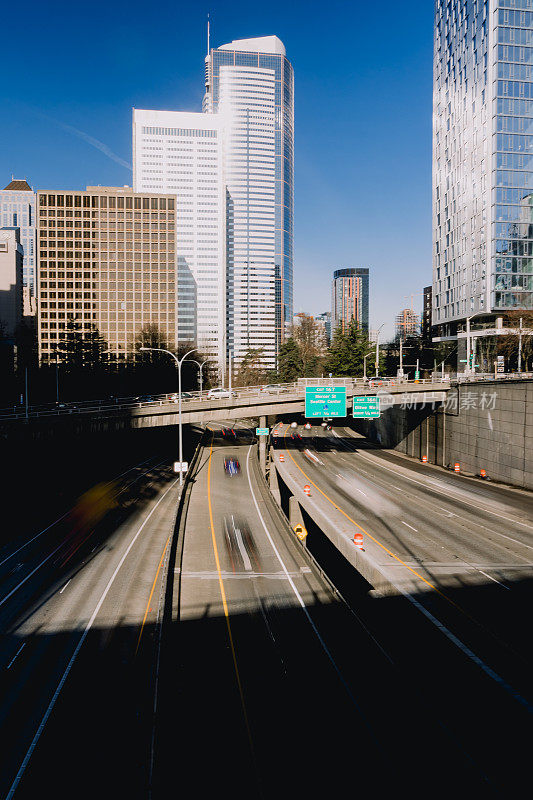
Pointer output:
x,y
73,71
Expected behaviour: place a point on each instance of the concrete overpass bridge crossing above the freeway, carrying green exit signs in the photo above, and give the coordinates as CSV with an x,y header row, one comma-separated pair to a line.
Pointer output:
x,y
198,408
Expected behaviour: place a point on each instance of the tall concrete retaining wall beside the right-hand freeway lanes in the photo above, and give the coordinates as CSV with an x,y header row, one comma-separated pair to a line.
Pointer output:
x,y
485,425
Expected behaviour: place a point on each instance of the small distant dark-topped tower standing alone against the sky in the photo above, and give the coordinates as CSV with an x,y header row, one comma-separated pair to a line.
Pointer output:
x,y
349,298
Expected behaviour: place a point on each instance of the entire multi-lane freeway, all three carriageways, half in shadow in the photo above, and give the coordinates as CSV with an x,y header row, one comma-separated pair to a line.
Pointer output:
x,y
143,658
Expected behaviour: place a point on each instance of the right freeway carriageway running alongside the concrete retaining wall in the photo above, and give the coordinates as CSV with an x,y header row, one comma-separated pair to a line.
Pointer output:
x,y
461,552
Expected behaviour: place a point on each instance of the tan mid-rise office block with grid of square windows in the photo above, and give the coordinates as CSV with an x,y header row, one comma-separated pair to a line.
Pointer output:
x,y
107,260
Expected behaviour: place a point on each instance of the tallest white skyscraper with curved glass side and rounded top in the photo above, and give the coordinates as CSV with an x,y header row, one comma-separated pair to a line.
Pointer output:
x,y
250,84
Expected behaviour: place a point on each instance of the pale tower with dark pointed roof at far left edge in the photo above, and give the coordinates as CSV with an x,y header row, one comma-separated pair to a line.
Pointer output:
x,y
17,210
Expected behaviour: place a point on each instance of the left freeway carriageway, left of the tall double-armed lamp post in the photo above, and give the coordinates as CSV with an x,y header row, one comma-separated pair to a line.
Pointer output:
x,y
81,613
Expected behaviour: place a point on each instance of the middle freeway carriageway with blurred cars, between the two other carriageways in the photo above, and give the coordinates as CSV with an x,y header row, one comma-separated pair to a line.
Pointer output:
x,y
273,684
